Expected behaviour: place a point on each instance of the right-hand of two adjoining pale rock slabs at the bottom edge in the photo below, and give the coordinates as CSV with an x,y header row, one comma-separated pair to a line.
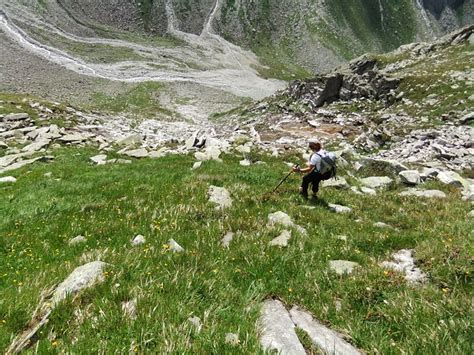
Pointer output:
x,y
325,339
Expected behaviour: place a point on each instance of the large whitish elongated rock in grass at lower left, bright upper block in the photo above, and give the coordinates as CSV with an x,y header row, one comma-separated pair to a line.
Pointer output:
x,y
82,277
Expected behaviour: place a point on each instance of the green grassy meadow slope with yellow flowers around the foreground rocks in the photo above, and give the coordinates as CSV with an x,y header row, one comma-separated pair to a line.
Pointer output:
x,y
164,199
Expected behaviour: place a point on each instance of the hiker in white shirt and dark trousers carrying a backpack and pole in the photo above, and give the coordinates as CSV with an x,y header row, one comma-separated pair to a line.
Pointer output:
x,y
315,171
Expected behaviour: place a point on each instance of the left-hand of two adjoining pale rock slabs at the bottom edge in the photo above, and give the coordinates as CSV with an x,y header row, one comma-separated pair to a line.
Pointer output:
x,y
278,330
